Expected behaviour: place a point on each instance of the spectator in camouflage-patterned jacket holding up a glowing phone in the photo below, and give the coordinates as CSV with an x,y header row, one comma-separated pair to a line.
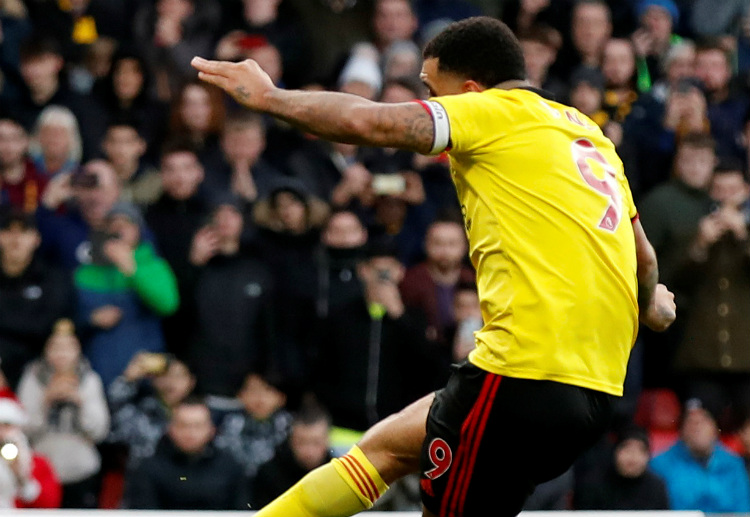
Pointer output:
x,y
142,400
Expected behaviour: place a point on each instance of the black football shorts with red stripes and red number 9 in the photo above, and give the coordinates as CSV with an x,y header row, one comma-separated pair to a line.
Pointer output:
x,y
492,439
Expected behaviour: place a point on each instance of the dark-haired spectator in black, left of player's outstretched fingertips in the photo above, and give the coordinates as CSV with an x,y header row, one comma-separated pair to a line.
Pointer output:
x,y
123,95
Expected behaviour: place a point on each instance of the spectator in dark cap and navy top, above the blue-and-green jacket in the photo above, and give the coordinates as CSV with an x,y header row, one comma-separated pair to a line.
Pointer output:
x,y
73,206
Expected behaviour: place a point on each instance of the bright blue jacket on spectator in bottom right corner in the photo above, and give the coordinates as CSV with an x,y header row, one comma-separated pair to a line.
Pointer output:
x,y
720,486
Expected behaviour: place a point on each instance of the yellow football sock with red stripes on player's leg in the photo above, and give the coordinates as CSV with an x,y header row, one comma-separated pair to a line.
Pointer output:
x,y
343,487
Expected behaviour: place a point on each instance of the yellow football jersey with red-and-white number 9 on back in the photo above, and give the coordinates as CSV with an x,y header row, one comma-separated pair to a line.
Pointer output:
x,y
547,210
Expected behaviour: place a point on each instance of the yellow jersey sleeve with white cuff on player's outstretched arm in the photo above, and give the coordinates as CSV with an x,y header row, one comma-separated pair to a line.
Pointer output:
x,y
460,121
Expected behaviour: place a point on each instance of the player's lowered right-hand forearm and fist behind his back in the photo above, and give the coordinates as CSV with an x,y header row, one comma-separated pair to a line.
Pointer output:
x,y
656,302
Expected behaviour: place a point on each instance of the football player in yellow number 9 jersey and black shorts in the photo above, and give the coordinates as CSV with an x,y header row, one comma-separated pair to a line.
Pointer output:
x,y
564,271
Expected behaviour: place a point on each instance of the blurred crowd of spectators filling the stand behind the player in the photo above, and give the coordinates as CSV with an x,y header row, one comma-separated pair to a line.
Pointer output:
x,y
200,304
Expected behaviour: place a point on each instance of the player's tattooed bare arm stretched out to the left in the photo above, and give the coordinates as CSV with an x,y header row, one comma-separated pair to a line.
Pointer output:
x,y
334,116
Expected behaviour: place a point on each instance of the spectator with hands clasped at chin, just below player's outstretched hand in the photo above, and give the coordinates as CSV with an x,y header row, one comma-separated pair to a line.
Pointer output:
x,y
243,170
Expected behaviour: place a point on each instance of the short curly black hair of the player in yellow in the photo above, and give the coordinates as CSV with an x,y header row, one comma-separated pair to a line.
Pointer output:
x,y
480,48
